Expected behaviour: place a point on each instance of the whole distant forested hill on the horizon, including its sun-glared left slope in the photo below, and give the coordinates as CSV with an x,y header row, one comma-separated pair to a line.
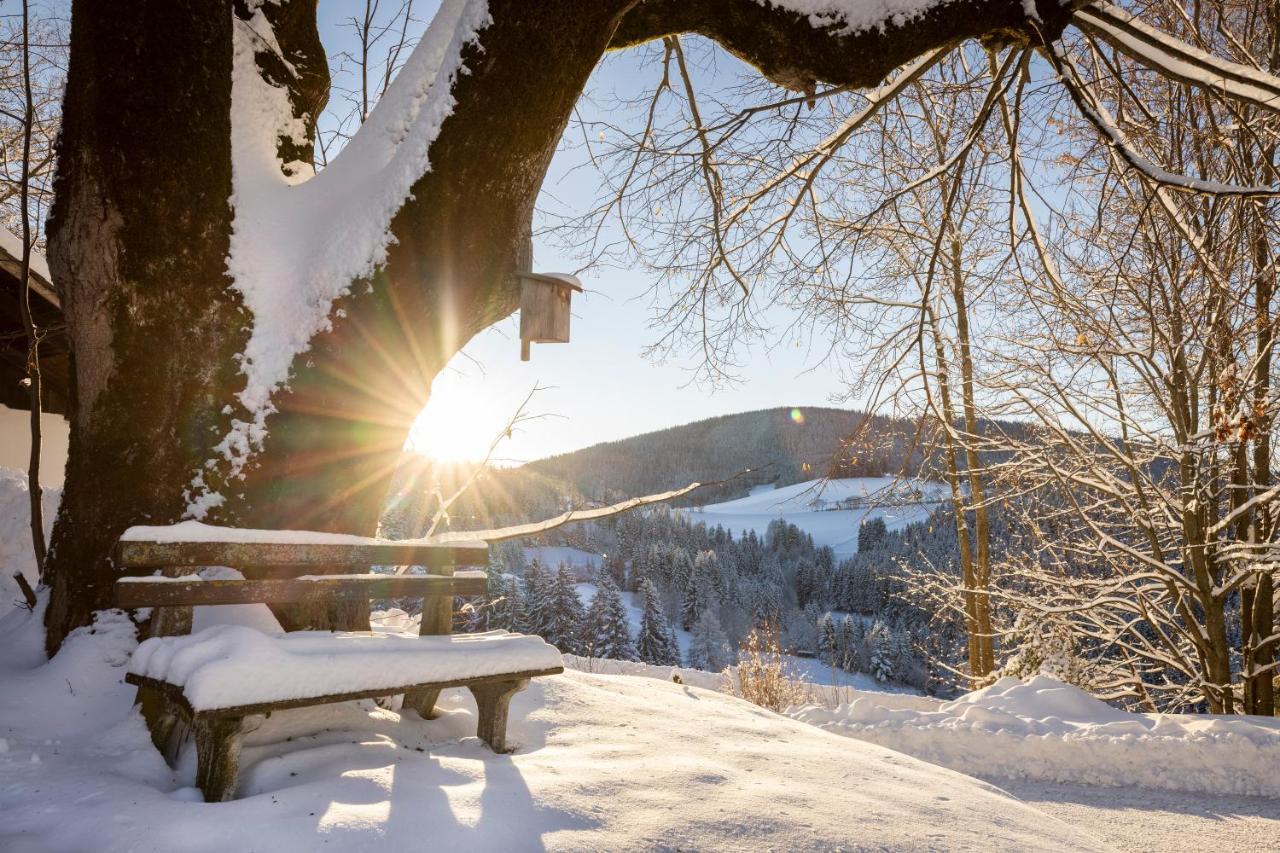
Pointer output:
x,y
779,446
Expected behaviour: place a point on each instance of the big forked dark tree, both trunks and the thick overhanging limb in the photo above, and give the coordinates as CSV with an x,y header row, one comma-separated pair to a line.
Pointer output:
x,y
140,235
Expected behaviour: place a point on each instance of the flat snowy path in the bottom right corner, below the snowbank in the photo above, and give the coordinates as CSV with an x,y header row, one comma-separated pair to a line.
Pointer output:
x,y
1140,820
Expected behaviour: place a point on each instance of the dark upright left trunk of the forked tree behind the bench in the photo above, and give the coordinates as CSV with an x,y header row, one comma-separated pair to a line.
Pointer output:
x,y
138,247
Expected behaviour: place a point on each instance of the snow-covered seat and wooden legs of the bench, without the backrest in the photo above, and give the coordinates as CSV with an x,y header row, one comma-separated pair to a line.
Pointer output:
x,y
214,679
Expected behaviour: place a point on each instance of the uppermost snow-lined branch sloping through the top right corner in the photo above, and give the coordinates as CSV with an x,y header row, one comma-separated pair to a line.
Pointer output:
x,y
1178,60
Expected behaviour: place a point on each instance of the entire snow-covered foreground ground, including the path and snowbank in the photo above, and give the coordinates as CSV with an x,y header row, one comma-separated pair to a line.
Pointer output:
x,y
607,760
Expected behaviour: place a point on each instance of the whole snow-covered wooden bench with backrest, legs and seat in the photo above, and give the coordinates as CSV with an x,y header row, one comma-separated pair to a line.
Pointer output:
x,y
211,681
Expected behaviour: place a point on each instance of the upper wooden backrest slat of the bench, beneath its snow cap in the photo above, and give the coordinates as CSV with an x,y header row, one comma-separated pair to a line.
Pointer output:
x,y
241,555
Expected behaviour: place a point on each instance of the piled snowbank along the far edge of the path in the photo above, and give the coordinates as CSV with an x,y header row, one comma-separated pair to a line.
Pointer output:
x,y
1048,731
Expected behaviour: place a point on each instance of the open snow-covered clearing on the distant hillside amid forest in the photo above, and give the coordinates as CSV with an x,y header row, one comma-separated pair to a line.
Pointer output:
x,y
811,507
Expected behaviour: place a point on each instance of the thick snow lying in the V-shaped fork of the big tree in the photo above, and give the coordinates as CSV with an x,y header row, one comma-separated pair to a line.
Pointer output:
x,y
300,240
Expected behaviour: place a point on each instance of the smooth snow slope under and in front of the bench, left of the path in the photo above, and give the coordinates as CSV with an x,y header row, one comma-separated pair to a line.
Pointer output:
x,y
604,763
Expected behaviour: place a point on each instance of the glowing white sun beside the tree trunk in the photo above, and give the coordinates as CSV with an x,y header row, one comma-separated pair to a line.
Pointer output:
x,y
459,425
